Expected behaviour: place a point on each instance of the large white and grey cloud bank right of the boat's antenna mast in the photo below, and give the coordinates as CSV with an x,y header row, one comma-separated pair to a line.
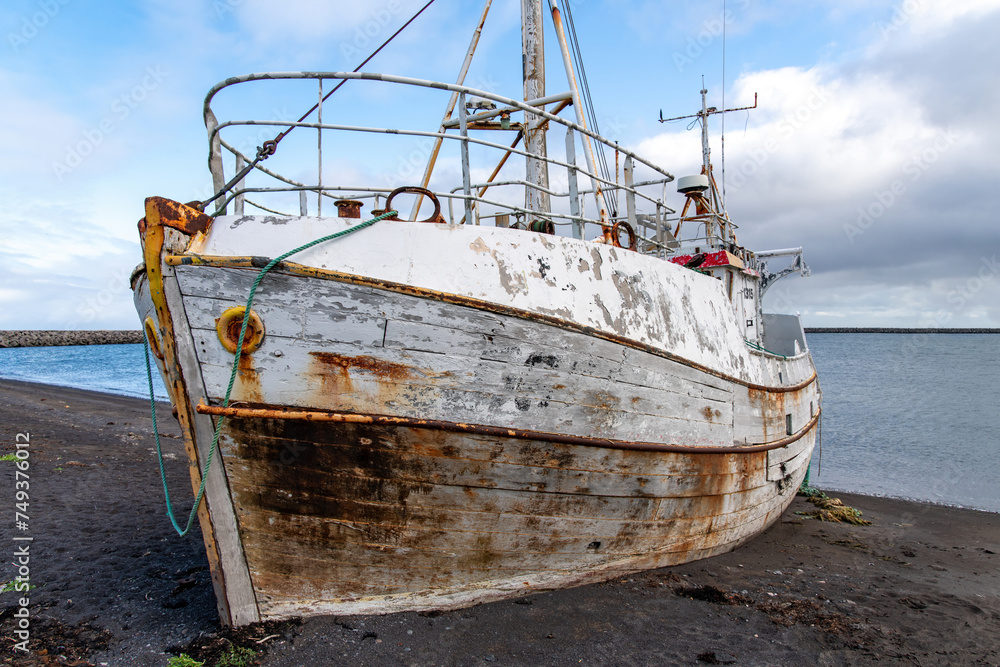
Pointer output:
x,y
882,168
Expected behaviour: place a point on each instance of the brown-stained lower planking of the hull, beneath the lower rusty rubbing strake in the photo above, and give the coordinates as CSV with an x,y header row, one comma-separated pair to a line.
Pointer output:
x,y
375,519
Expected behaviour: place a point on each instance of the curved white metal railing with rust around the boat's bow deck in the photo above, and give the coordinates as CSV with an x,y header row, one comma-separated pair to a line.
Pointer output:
x,y
644,210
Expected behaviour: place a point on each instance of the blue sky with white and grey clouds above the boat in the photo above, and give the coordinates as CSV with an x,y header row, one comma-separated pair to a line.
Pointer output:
x,y
873,145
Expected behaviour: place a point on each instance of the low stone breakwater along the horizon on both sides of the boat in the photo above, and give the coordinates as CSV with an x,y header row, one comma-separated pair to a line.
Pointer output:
x,y
54,337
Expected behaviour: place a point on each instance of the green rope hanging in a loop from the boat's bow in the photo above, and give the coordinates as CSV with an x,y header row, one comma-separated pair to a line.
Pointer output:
x,y
232,377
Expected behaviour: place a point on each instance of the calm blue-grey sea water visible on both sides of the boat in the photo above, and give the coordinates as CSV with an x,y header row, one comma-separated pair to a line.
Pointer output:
x,y
904,415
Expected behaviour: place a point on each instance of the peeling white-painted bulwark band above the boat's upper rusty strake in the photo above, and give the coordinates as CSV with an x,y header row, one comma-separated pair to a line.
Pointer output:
x,y
616,291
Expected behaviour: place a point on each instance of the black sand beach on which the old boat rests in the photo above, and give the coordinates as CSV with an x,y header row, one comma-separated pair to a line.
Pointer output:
x,y
114,585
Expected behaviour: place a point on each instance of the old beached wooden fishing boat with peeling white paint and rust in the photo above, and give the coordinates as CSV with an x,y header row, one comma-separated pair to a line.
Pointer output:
x,y
539,383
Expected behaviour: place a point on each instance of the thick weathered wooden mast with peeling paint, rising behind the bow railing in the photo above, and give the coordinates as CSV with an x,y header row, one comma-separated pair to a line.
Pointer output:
x,y
533,59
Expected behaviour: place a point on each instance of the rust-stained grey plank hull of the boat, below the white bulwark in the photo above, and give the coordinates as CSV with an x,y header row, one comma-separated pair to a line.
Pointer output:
x,y
393,447
